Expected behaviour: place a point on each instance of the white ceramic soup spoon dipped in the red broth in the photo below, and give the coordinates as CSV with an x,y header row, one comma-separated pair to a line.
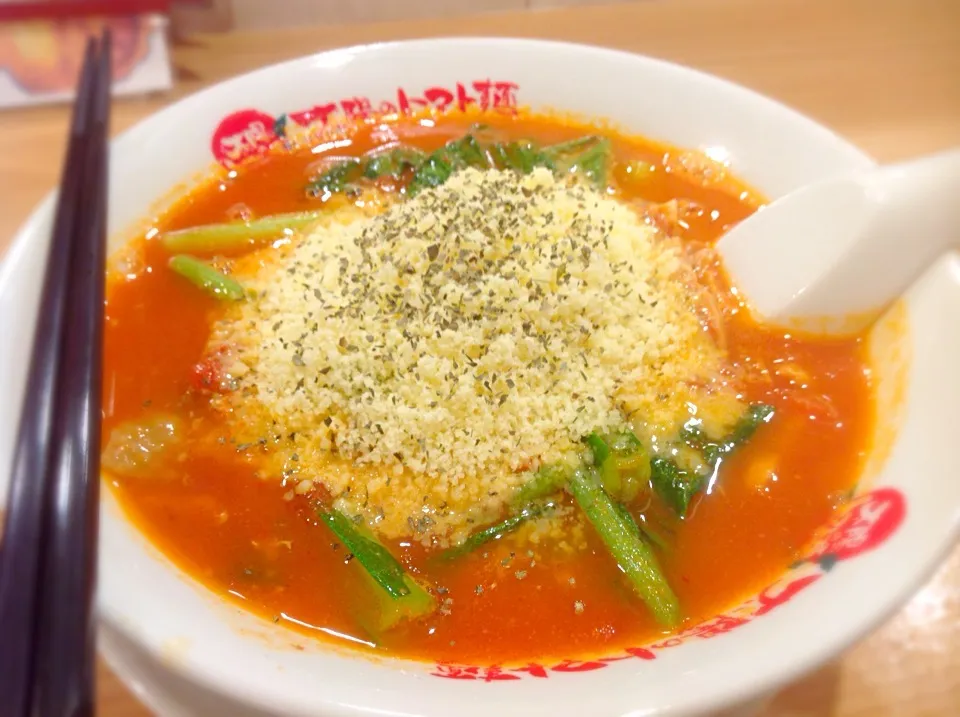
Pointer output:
x,y
846,246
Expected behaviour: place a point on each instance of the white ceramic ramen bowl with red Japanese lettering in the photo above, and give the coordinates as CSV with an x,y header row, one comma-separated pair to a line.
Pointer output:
x,y
187,653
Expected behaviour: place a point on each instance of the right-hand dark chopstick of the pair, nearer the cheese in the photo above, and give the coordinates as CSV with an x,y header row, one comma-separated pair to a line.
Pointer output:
x,y
66,656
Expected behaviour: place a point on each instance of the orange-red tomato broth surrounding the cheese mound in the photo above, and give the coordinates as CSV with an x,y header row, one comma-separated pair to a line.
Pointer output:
x,y
233,529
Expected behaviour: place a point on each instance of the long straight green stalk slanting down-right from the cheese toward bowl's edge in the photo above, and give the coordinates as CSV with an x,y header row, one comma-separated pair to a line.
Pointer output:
x,y
620,535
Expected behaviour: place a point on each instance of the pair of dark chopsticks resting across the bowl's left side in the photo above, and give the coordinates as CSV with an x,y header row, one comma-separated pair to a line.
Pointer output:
x,y
48,553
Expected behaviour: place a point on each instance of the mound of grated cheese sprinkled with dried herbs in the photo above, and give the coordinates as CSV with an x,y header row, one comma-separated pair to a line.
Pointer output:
x,y
449,346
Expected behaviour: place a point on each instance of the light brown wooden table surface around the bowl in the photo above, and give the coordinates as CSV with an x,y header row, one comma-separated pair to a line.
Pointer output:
x,y
883,73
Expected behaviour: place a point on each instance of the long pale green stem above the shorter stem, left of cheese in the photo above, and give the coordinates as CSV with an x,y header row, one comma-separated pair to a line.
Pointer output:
x,y
234,236
